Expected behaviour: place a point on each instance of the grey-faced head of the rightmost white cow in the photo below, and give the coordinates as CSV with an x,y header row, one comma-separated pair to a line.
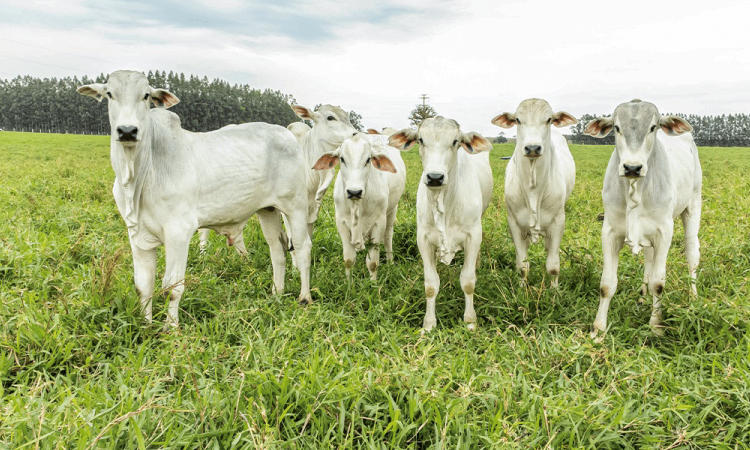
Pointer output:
x,y
635,125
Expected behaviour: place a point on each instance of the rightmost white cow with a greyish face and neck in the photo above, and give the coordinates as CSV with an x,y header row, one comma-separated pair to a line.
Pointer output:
x,y
653,177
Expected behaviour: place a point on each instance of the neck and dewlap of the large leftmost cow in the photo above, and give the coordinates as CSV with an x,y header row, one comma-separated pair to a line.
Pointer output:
x,y
131,166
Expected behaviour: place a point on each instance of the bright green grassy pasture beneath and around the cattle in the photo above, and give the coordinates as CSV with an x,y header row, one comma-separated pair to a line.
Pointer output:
x,y
250,370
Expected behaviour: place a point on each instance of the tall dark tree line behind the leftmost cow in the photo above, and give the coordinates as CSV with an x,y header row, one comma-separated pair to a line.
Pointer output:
x,y
52,105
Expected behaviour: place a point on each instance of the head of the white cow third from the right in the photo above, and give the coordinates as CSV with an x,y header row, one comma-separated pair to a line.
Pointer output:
x,y
439,140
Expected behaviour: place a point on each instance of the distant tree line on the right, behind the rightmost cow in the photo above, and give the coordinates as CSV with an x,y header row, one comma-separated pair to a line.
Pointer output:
x,y
732,130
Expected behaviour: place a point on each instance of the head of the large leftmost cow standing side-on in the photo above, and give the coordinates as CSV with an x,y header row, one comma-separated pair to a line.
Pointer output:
x,y
130,97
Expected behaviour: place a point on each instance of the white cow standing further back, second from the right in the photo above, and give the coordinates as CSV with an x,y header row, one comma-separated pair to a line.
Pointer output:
x,y
538,181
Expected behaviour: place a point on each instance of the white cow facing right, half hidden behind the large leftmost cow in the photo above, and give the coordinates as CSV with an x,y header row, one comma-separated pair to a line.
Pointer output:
x,y
331,126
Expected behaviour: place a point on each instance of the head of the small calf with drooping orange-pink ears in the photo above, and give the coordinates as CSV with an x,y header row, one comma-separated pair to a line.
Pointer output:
x,y
357,157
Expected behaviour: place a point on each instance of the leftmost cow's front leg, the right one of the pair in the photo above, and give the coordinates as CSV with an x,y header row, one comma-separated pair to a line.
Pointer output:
x,y
177,243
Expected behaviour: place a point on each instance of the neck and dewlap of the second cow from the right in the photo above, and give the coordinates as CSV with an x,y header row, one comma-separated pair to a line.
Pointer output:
x,y
535,170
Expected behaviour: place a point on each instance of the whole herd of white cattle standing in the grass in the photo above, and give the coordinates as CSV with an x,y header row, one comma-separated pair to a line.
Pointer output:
x,y
170,182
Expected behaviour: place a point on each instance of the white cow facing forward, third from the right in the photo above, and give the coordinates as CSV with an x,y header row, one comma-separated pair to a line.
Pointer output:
x,y
454,191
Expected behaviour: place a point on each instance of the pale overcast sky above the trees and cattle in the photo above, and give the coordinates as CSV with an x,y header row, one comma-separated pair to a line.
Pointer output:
x,y
474,59
